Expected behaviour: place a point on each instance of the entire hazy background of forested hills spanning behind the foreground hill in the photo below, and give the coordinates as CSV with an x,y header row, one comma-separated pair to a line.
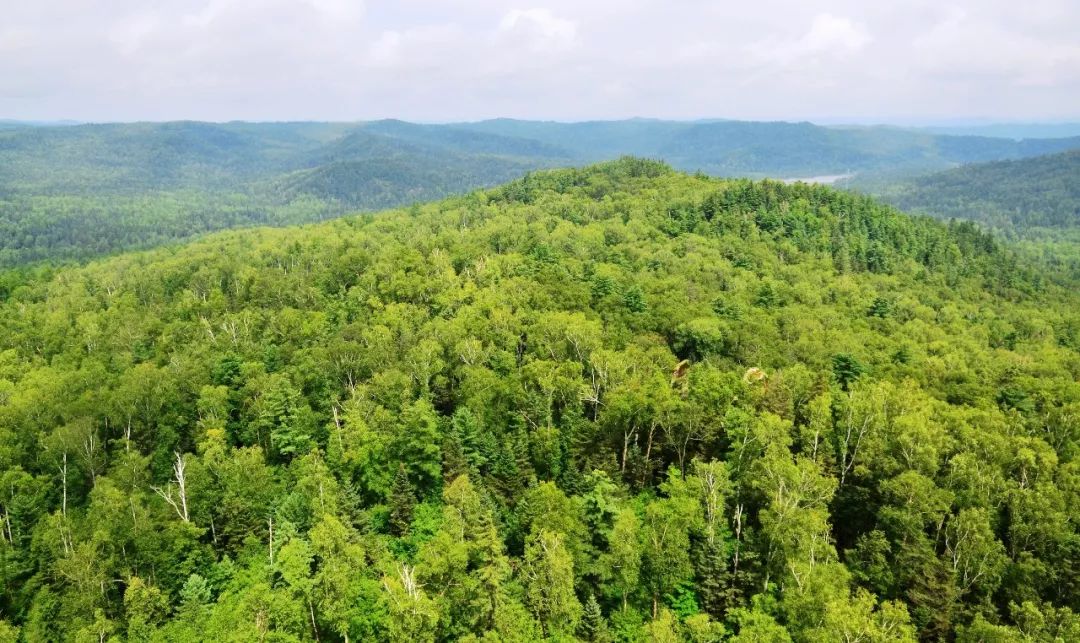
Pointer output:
x,y
80,192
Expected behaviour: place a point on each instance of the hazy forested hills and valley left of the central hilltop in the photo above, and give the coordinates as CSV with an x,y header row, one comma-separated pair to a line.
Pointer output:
x,y
75,193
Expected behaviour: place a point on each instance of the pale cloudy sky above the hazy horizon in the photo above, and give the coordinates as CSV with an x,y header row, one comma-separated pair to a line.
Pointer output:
x,y
906,62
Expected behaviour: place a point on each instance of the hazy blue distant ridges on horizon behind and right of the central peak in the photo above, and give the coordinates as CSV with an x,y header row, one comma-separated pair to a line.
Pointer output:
x,y
777,150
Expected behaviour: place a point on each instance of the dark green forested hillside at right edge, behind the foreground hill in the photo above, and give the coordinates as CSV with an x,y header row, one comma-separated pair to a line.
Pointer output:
x,y
1037,193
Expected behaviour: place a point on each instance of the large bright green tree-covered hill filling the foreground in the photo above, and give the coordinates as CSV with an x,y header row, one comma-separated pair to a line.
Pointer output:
x,y
618,404
